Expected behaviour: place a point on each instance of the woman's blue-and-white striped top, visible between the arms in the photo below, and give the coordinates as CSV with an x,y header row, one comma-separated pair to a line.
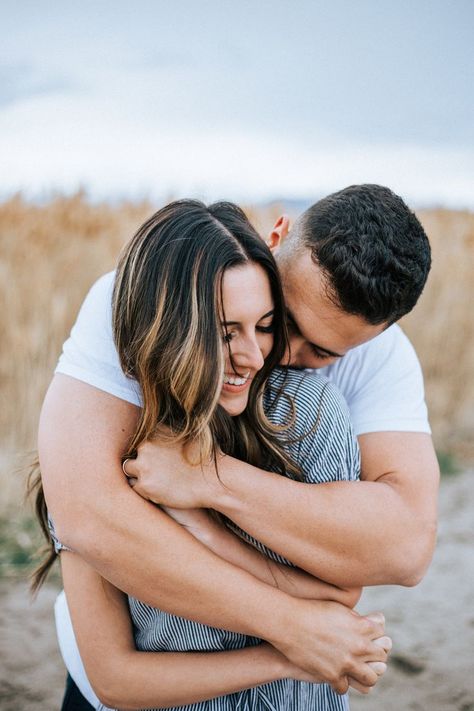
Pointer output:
x,y
322,443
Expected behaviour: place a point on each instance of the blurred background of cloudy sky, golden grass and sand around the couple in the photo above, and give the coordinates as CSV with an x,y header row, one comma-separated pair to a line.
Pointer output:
x,y
110,109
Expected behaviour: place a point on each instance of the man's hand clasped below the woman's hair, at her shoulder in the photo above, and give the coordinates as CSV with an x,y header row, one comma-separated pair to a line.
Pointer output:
x,y
163,474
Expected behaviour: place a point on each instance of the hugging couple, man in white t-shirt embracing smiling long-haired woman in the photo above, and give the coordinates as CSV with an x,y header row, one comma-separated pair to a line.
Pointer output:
x,y
234,443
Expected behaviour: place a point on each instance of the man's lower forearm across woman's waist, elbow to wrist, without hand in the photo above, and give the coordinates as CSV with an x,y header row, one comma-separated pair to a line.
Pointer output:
x,y
152,558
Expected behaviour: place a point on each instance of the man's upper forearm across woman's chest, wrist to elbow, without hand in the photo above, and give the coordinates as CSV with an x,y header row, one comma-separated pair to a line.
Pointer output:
x,y
347,533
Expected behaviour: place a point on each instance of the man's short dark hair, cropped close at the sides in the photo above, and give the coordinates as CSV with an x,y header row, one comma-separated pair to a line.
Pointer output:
x,y
371,248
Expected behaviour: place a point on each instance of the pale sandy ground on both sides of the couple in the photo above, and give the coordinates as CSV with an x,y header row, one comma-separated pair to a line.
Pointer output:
x,y
432,665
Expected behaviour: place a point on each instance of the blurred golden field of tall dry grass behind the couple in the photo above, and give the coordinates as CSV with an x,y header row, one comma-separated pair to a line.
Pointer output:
x,y
51,254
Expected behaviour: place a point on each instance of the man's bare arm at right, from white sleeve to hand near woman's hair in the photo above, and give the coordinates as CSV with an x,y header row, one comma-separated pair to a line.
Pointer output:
x,y
377,531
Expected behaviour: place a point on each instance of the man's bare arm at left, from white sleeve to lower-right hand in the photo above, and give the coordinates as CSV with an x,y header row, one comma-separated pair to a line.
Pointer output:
x,y
83,432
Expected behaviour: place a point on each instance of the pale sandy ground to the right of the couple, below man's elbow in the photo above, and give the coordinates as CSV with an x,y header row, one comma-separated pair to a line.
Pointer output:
x,y
432,625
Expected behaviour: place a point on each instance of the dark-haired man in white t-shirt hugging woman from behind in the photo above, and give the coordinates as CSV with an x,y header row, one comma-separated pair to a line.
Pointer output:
x,y
361,533
